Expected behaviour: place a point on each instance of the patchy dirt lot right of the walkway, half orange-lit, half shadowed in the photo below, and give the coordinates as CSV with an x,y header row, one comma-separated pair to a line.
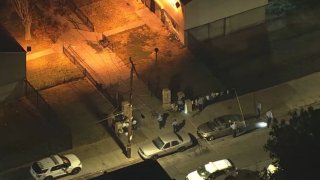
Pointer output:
x,y
139,43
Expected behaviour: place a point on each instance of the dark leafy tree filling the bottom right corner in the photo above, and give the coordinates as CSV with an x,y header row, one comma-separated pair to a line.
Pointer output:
x,y
295,146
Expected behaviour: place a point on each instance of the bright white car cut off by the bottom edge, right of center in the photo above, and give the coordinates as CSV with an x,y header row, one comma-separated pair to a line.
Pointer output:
x,y
213,170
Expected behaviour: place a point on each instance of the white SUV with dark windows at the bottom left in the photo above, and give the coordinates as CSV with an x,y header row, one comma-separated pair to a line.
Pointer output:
x,y
55,166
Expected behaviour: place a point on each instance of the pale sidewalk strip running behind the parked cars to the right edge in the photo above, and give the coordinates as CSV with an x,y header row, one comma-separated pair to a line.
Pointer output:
x,y
281,99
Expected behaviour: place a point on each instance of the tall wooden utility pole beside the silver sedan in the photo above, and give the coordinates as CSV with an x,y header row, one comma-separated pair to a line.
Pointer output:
x,y
133,69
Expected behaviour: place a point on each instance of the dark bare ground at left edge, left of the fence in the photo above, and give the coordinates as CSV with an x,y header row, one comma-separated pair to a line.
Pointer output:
x,y
24,134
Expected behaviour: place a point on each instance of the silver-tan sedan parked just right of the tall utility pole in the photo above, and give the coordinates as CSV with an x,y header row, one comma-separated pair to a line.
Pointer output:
x,y
165,144
